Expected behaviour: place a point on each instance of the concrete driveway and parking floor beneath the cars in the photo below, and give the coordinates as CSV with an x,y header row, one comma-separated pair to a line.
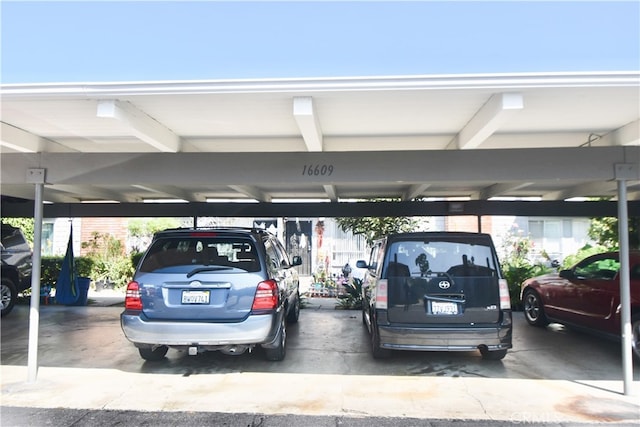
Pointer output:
x,y
552,376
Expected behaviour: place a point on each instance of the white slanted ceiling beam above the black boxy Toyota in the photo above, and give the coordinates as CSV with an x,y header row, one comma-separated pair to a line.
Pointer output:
x,y
488,119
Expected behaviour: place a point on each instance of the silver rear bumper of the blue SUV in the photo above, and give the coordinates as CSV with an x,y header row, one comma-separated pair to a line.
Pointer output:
x,y
255,329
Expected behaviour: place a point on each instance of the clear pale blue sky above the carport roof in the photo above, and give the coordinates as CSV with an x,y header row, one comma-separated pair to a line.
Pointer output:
x,y
116,41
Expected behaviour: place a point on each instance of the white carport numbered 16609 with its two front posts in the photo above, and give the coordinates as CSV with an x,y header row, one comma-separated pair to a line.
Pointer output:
x,y
442,145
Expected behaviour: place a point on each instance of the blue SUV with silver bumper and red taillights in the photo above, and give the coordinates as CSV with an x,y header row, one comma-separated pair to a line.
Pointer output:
x,y
222,289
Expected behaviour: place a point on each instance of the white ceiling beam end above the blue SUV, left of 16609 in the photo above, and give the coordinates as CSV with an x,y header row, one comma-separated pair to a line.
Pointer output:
x,y
142,125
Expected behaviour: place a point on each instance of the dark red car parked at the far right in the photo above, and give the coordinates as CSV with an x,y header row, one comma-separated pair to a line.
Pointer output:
x,y
586,296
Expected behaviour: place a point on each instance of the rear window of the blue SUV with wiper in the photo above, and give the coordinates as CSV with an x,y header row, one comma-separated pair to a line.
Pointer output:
x,y
188,251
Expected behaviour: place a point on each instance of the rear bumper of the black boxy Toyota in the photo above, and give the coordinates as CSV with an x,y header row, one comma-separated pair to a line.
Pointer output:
x,y
466,338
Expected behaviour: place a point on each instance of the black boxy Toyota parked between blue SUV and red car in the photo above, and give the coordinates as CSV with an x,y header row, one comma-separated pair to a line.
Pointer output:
x,y
436,291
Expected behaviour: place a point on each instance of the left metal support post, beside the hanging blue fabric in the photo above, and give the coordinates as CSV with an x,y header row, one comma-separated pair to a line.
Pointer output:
x,y
34,311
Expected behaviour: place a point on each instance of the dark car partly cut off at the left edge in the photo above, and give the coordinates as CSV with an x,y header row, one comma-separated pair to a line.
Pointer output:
x,y
16,266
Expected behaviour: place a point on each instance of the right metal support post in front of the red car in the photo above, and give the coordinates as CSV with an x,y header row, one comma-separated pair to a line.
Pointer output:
x,y
625,288
